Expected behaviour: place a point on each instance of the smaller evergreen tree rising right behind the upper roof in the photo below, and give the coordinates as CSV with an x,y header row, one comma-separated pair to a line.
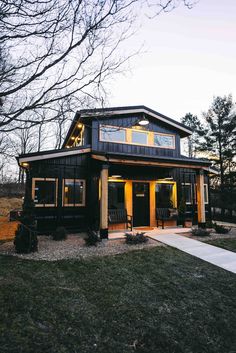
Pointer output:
x,y
195,125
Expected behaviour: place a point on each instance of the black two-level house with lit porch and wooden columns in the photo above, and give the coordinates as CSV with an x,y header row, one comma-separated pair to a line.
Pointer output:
x,y
125,158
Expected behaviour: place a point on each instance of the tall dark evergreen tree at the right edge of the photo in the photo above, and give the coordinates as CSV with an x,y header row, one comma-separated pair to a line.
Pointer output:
x,y
219,141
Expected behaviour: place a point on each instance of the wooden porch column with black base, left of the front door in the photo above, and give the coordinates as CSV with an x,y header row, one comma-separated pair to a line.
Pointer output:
x,y
104,202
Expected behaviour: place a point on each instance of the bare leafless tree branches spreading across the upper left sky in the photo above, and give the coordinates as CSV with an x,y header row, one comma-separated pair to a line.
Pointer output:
x,y
54,49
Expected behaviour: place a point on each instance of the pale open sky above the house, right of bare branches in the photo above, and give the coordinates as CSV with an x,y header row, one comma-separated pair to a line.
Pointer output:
x,y
188,57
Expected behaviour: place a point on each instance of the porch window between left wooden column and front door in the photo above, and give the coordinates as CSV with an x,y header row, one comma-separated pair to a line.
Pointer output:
x,y
116,195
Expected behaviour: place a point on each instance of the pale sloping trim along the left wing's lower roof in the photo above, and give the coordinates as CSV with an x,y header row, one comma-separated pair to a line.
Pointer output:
x,y
53,154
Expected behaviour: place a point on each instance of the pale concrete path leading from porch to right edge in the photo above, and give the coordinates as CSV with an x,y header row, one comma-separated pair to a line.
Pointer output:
x,y
216,256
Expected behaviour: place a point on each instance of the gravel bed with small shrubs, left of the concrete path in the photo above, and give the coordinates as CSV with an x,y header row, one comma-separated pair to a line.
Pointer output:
x,y
74,248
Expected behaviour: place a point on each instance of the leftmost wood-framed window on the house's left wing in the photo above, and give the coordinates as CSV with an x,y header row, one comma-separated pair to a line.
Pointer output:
x,y
44,192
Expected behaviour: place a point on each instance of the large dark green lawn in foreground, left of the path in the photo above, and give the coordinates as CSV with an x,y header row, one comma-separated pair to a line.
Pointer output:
x,y
159,300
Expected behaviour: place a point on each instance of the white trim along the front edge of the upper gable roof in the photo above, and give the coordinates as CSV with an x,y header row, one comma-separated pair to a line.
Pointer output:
x,y
120,112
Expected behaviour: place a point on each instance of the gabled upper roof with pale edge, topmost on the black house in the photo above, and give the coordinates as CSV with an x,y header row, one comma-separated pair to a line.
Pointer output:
x,y
105,112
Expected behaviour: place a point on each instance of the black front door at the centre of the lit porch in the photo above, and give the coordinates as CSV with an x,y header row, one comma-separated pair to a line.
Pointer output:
x,y
141,207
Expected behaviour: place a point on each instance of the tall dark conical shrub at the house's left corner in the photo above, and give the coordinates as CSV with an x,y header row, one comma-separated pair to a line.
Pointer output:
x,y
26,236
